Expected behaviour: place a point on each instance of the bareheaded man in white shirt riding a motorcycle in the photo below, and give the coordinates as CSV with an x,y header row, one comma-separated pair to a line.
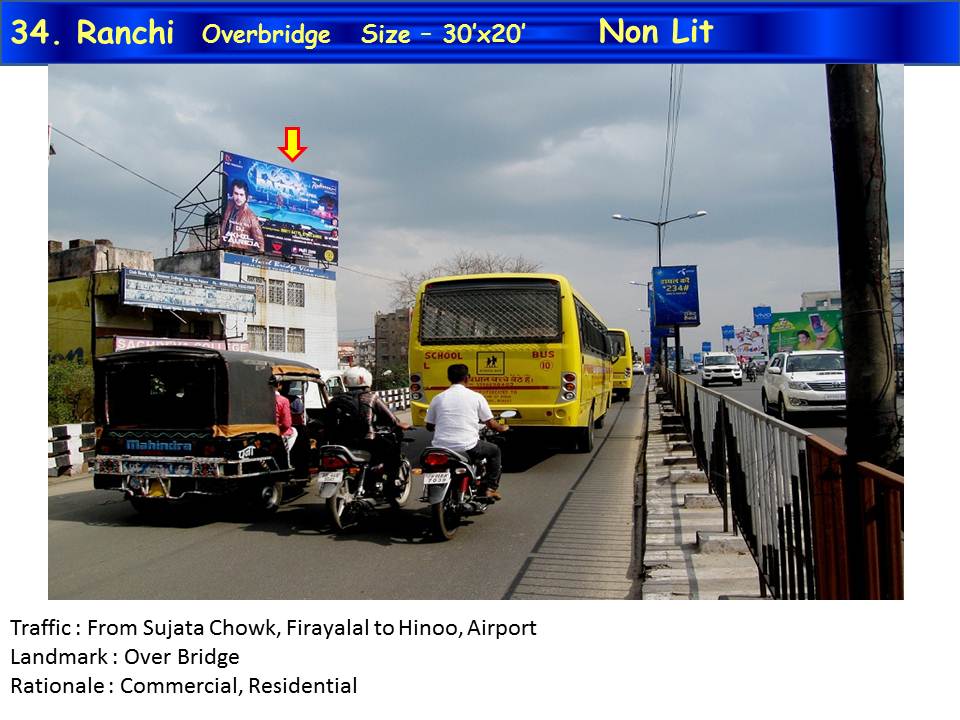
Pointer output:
x,y
453,417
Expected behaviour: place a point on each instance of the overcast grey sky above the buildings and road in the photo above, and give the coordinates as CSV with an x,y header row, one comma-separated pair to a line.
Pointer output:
x,y
511,159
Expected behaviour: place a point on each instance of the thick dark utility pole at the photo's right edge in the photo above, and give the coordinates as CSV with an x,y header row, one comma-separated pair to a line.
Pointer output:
x,y
862,234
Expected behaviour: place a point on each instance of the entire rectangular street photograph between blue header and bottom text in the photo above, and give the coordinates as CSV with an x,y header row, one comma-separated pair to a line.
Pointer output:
x,y
474,332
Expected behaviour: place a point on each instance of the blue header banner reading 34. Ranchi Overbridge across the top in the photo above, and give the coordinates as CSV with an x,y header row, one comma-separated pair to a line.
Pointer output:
x,y
869,32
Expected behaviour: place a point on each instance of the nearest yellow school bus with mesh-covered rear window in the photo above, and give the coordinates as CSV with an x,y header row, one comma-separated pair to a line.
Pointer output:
x,y
531,342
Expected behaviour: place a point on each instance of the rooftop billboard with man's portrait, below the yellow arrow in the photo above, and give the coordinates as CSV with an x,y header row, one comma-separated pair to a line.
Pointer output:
x,y
278,211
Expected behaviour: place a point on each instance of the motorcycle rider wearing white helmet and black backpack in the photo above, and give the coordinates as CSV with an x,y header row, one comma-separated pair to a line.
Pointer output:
x,y
375,413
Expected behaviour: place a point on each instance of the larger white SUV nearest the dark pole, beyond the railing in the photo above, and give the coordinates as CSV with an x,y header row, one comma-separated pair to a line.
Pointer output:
x,y
805,381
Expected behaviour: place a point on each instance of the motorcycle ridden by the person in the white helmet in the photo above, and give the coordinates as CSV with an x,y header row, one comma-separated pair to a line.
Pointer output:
x,y
352,487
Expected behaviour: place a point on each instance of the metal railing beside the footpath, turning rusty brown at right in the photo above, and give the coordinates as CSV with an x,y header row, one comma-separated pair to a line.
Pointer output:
x,y
816,525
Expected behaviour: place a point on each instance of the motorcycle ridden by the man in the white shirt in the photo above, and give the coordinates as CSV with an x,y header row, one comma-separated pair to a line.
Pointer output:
x,y
451,484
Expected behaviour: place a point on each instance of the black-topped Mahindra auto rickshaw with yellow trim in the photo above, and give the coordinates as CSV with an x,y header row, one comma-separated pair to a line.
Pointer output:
x,y
176,422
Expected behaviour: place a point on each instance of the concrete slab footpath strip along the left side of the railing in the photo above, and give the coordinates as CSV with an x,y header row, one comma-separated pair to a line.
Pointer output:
x,y
688,556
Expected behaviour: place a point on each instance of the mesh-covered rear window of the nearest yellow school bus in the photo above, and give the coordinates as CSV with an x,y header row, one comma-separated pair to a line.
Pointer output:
x,y
477,312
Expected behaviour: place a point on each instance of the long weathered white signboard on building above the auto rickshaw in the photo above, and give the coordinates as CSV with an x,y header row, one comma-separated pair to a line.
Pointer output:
x,y
171,291
